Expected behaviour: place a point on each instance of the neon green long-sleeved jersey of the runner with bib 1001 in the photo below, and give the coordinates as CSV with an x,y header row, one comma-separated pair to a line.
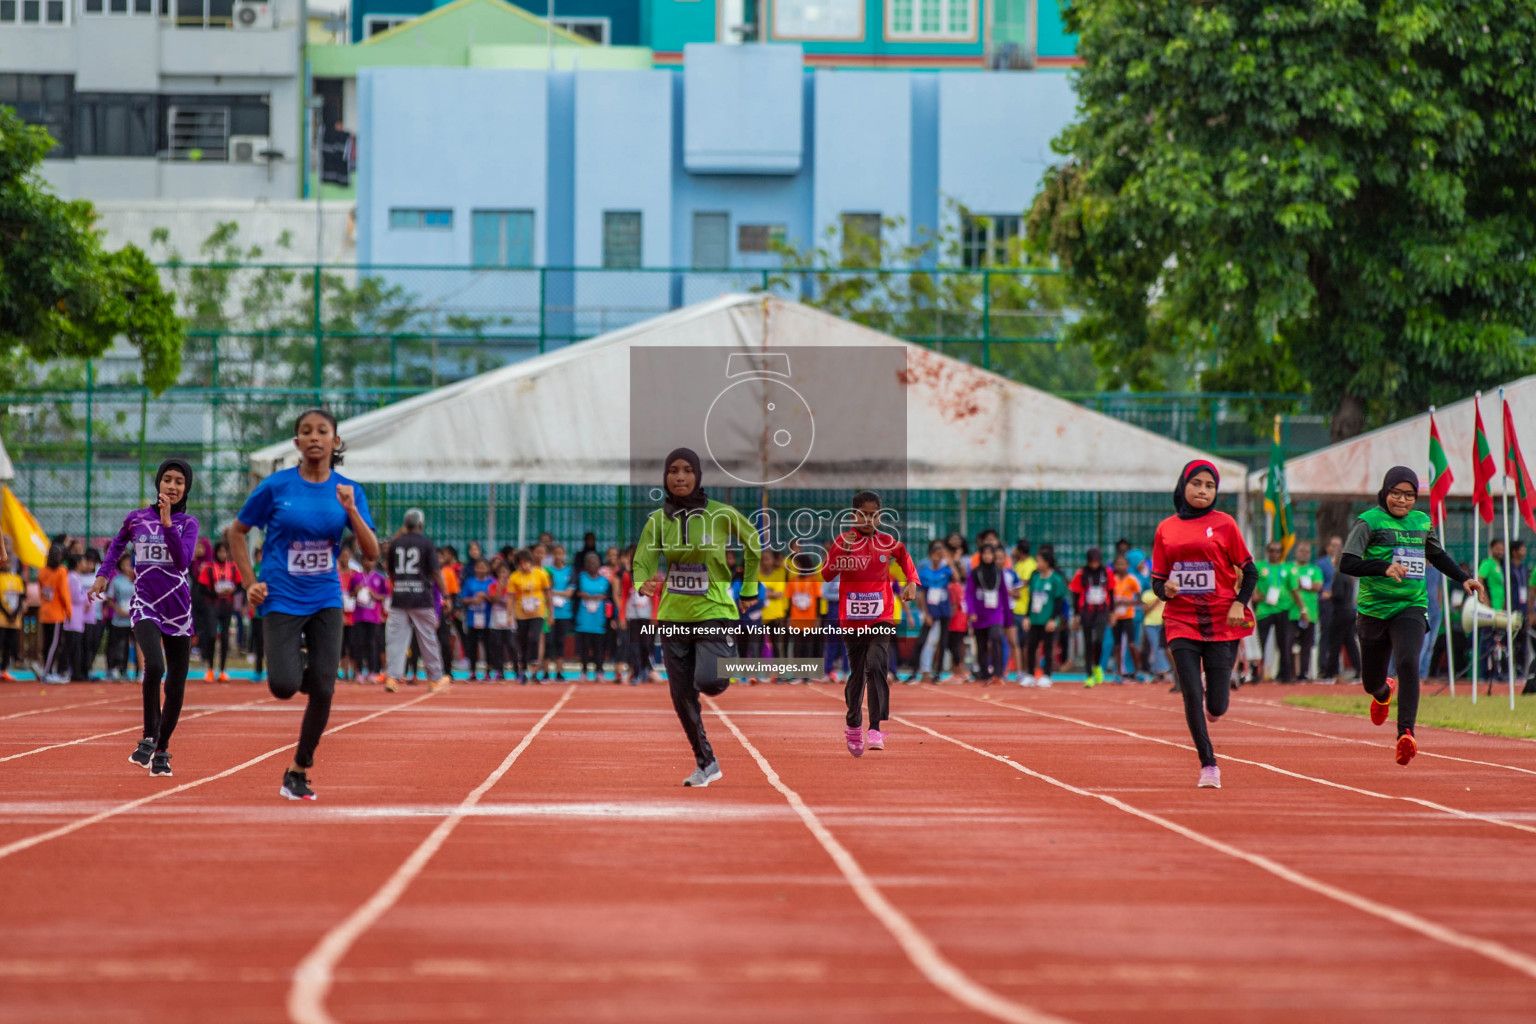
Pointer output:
x,y
698,580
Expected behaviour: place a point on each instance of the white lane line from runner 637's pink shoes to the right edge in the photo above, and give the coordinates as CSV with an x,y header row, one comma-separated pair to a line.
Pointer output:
x,y
1491,950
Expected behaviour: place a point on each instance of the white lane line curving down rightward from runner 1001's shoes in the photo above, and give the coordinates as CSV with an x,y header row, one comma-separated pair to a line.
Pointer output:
x,y
924,954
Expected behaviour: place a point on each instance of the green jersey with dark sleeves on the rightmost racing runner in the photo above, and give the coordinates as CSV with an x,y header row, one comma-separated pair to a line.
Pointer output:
x,y
1380,540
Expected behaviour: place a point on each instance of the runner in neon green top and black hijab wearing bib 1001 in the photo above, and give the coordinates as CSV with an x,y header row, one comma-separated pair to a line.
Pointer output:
x,y
690,532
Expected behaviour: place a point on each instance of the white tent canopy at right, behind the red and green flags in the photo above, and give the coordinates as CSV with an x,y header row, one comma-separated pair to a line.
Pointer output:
x,y
1356,467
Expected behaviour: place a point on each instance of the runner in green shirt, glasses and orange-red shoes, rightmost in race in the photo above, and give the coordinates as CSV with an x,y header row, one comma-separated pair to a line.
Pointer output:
x,y
1388,549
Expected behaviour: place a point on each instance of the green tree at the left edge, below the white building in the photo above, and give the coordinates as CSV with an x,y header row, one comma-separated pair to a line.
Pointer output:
x,y
62,294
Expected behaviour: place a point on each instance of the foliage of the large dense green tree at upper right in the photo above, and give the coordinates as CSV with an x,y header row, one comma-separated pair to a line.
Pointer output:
x,y
1313,196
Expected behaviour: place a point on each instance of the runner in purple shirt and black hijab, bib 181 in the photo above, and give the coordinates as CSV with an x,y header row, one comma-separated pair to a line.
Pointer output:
x,y
161,540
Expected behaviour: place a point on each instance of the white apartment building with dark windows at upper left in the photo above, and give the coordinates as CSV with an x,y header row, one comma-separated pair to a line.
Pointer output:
x,y
161,99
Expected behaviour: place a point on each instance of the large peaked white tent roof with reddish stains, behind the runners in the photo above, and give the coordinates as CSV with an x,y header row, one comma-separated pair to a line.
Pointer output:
x,y
564,417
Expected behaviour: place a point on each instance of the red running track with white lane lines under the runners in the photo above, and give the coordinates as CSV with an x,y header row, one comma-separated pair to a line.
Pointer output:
x,y
528,854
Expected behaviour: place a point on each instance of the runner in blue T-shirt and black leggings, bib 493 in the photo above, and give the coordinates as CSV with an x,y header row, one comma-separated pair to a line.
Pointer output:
x,y
305,512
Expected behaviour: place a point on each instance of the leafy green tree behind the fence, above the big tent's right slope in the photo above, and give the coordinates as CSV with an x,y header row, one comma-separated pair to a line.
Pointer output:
x,y
1024,314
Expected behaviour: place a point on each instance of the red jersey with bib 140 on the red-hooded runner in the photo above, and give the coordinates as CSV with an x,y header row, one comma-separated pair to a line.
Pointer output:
x,y
1205,557
